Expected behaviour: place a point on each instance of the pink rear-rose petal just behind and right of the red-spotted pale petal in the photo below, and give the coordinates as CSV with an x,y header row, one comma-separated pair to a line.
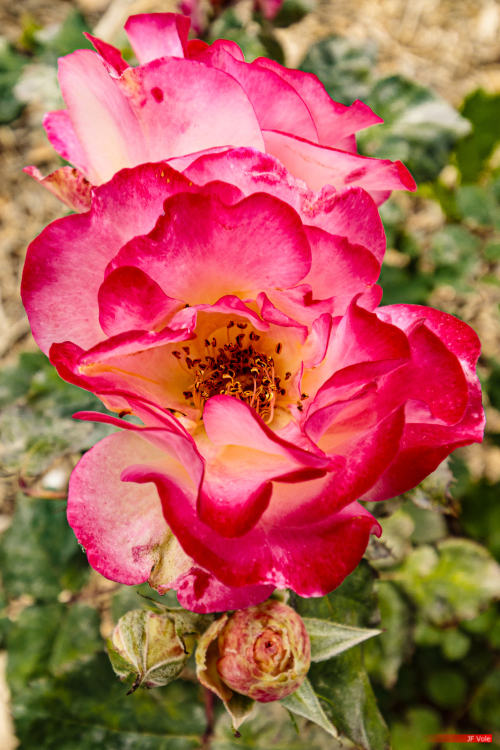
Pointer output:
x,y
275,102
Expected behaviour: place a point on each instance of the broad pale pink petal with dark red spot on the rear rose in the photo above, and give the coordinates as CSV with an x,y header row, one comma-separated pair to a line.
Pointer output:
x,y
167,96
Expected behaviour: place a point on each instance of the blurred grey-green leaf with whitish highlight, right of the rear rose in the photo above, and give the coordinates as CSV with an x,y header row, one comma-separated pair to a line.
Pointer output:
x,y
420,128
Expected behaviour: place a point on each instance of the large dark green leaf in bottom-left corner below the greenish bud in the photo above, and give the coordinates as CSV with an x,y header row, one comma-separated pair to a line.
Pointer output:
x,y
87,708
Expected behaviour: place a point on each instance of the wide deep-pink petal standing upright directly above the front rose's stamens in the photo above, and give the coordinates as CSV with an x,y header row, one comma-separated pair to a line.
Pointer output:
x,y
199,232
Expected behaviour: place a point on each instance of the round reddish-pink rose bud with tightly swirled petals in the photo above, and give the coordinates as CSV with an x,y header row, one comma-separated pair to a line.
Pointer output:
x,y
262,652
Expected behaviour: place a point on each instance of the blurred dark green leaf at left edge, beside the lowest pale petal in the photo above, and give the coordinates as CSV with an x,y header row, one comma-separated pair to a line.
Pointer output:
x,y
39,554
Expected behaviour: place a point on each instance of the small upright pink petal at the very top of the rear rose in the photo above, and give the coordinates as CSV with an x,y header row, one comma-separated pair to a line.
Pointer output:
x,y
154,35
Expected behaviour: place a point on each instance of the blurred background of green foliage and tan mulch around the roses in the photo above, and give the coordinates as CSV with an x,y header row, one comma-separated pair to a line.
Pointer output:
x,y
431,69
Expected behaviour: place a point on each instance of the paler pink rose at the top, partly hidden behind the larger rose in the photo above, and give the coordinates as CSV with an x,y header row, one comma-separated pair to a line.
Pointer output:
x,y
186,98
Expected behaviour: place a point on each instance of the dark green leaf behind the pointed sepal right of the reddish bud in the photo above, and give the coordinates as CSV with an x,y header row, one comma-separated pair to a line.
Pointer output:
x,y
341,684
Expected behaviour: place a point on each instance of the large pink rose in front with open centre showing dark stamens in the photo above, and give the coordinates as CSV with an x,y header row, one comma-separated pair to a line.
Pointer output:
x,y
234,311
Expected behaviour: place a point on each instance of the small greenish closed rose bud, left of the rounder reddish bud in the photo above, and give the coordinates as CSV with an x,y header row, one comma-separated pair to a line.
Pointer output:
x,y
147,645
